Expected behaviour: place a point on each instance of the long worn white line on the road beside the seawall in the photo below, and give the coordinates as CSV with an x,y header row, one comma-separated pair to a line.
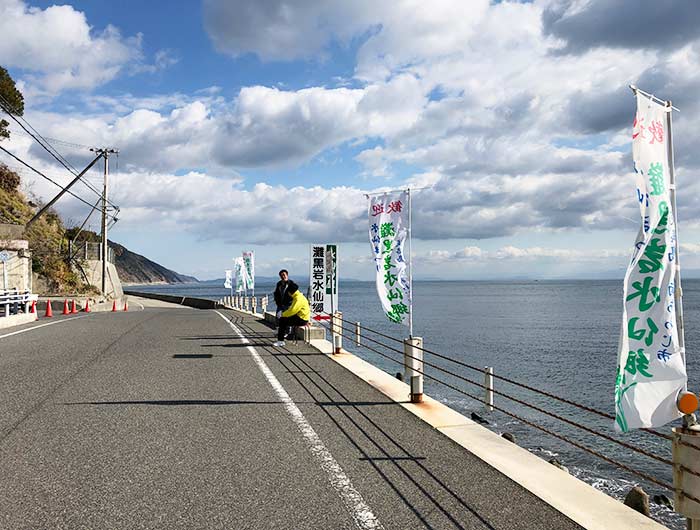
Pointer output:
x,y
361,512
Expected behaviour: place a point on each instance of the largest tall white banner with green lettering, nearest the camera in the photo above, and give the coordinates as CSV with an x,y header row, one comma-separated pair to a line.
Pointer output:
x,y
651,363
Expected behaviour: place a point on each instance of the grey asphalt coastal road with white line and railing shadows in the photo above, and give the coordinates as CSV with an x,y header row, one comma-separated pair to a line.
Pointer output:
x,y
165,418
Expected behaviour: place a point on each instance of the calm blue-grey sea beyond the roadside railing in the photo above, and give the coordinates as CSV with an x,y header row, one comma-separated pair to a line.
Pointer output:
x,y
559,336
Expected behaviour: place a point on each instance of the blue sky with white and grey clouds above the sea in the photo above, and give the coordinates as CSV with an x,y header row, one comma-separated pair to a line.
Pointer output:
x,y
261,124
